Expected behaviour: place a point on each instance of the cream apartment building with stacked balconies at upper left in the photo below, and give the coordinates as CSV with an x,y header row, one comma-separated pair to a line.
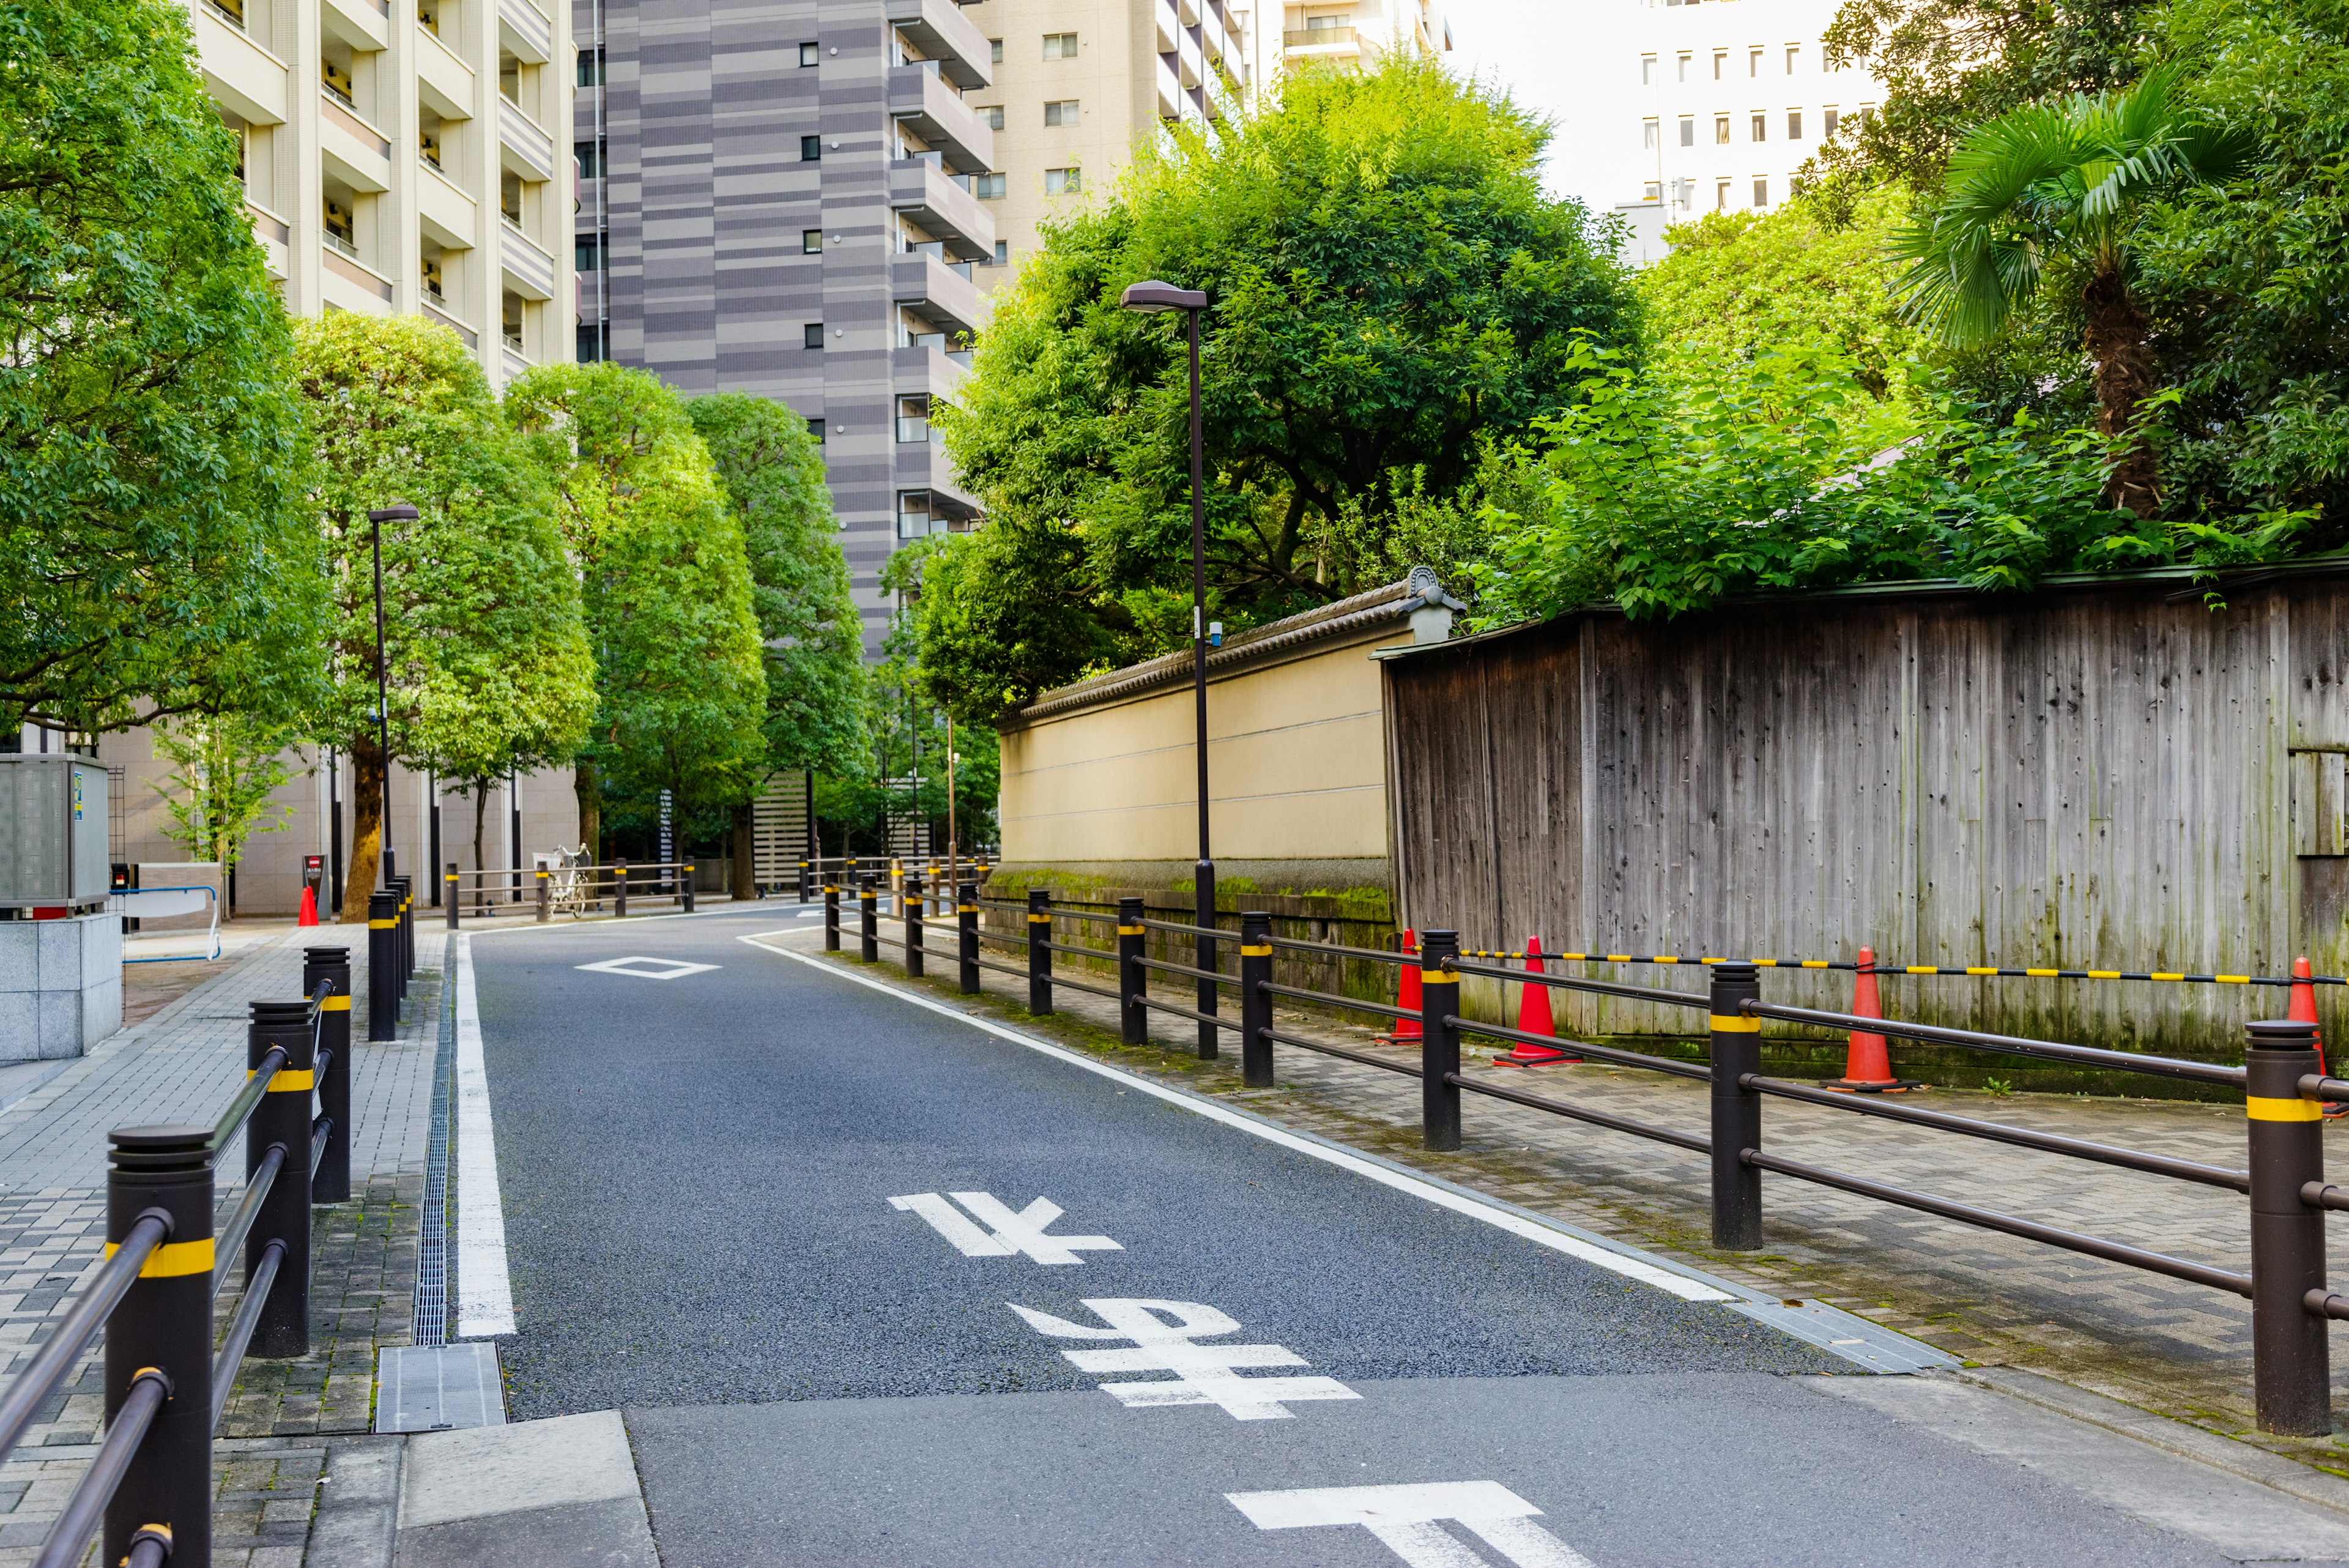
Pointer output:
x,y
408,156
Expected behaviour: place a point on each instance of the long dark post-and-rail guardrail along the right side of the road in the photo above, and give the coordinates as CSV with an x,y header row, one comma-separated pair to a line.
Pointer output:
x,y
2280,1078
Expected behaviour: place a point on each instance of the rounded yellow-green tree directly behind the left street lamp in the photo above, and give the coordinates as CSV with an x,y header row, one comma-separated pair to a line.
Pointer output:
x,y
485,652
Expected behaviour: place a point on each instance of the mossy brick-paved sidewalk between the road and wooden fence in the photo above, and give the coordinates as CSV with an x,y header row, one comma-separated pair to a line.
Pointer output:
x,y
2143,1339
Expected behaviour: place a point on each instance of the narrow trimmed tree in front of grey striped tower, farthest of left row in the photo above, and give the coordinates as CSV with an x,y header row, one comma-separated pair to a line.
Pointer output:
x,y
809,626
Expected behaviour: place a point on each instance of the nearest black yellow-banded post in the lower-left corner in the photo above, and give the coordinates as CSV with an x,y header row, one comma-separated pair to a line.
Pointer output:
x,y
166,1322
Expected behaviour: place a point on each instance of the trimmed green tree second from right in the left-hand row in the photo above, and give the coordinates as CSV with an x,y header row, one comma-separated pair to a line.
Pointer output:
x,y
664,579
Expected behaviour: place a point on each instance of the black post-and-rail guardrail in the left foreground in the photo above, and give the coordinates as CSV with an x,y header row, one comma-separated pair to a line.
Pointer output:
x,y
166,1393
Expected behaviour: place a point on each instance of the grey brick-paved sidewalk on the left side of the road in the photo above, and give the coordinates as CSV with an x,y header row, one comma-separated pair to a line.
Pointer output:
x,y
184,1066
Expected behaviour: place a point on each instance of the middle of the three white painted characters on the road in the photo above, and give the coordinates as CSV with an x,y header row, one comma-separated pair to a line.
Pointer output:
x,y
1204,1374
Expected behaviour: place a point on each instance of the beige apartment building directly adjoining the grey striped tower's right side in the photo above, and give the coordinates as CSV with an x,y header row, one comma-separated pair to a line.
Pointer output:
x,y
1082,83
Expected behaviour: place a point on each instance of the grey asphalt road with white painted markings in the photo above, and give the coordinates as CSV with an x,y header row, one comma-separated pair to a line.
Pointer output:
x,y
734,1209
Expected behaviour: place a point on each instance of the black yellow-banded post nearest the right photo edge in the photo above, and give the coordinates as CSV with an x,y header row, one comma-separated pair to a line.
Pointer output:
x,y
2289,1343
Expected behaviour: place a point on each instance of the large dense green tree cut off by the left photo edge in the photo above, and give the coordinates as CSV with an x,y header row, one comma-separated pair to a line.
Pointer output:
x,y
154,556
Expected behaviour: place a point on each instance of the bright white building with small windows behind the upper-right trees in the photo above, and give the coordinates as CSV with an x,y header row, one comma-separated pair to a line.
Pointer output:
x,y
1716,107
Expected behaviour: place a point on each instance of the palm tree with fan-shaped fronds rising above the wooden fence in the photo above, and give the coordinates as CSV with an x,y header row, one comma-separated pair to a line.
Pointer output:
x,y
2066,180
